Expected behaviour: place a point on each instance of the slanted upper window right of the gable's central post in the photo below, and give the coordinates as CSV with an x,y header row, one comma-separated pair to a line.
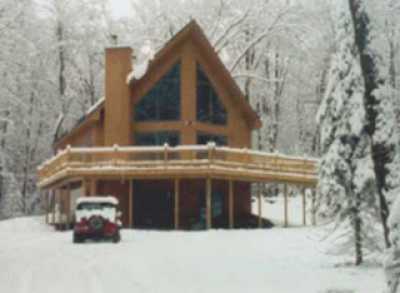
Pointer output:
x,y
209,106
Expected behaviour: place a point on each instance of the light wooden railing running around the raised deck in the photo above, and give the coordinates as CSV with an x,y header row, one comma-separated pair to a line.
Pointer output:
x,y
166,157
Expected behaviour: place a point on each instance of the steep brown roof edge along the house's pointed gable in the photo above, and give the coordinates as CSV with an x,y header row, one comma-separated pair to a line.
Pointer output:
x,y
191,32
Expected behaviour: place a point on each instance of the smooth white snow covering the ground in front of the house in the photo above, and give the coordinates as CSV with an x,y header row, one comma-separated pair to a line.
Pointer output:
x,y
33,258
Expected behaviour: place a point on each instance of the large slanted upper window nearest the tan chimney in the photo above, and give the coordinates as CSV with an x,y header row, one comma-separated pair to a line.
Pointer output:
x,y
163,101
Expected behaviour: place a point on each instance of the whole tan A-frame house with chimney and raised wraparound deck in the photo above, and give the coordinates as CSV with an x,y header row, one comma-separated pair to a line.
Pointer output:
x,y
174,146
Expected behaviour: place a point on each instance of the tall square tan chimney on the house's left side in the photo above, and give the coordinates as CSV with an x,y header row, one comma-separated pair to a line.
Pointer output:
x,y
118,65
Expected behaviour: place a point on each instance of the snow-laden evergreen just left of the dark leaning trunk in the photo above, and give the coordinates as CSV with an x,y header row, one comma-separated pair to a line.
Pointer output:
x,y
345,185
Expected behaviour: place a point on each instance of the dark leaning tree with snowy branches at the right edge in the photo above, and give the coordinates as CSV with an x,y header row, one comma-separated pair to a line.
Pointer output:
x,y
381,121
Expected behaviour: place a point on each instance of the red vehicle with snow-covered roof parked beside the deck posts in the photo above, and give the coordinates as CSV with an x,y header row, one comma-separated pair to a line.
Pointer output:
x,y
97,218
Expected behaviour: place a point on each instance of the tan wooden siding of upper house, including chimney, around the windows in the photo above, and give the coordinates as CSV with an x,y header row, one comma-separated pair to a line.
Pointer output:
x,y
116,126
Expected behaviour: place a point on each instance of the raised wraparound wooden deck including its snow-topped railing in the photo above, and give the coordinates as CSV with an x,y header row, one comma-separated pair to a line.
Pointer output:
x,y
176,162
